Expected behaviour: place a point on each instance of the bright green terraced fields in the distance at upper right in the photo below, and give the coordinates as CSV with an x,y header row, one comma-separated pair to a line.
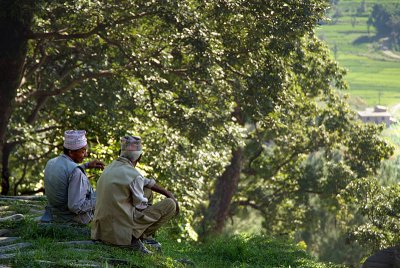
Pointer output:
x,y
373,72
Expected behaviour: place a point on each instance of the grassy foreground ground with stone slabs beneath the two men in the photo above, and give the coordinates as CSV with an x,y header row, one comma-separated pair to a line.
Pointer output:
x,y
26,243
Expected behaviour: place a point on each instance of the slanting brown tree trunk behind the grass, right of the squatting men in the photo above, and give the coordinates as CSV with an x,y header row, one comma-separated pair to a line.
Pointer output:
x,y
226,186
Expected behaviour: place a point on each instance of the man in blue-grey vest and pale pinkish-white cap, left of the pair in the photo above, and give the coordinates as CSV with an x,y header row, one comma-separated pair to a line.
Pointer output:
x,y
71,198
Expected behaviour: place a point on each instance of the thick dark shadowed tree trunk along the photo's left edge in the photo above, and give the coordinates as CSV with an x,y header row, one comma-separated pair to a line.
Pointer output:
x,y
15,22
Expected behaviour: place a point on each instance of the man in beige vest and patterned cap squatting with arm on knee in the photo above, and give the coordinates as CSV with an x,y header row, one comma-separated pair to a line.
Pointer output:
x,y
124,214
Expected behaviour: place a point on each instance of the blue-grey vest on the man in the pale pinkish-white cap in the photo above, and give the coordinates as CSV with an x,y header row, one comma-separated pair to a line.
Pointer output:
x,y
56,179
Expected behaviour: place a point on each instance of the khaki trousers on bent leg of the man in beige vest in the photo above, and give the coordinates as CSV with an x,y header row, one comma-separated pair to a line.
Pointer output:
x,y
149,220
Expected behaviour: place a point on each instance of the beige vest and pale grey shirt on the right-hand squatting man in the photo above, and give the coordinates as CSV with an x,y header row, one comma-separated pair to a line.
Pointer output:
x,y
120,196
